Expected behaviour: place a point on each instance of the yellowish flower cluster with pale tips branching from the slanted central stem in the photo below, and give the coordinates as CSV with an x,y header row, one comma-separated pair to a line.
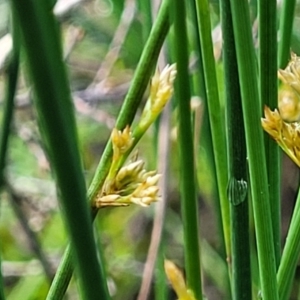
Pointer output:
x,y
131,183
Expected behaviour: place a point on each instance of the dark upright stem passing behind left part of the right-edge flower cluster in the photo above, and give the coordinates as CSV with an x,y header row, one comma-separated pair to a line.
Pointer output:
x,y
268,95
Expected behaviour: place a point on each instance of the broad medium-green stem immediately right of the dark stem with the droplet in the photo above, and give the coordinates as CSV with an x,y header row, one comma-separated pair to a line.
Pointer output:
x,y
255,148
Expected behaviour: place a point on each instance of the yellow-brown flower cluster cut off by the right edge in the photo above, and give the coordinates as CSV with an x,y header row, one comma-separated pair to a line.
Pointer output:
x,y
283,125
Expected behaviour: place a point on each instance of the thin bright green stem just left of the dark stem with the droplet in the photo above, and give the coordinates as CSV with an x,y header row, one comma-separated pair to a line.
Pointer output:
x,y
215,116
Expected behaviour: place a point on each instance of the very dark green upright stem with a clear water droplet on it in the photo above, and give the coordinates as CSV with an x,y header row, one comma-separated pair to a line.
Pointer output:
x,y
237,188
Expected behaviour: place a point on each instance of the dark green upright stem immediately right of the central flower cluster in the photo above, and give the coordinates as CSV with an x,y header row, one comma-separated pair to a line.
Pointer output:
x,y
186,152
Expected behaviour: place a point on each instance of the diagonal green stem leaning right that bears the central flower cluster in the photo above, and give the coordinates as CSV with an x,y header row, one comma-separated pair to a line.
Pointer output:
x,y
130,106
